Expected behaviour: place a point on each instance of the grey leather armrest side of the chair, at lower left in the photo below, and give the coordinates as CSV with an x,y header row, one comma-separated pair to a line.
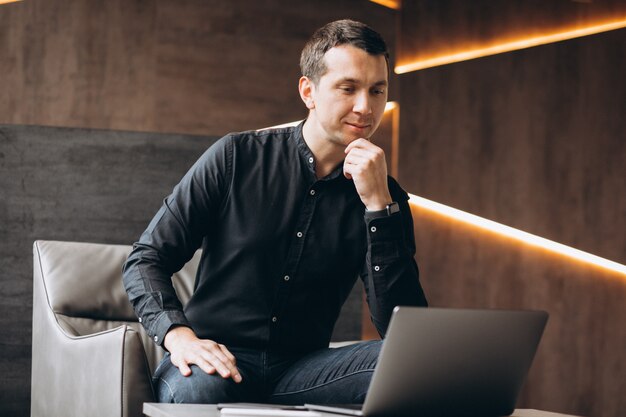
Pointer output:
x,y
87,375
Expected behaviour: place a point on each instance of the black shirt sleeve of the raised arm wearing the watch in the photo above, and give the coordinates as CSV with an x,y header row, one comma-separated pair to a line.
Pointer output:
x,y
390,274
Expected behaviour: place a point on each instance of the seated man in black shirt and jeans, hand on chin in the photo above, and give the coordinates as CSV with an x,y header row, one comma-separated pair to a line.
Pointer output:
x,y
287,219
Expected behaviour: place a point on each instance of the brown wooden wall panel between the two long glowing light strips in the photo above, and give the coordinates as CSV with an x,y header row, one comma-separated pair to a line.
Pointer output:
x,y
533,139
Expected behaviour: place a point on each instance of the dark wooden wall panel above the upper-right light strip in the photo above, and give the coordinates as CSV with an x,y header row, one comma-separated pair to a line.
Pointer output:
x,y
434,28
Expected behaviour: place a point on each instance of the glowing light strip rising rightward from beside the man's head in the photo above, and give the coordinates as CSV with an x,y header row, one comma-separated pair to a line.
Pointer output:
x,y
509,46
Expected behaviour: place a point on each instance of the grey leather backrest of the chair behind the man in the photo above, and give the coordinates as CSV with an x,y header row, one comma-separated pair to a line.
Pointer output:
x,y
83,284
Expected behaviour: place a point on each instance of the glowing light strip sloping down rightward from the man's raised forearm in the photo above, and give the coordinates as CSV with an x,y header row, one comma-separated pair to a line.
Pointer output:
x,y
516,234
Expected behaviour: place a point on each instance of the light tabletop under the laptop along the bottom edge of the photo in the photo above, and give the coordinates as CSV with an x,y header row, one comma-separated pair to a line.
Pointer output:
x,y
210,410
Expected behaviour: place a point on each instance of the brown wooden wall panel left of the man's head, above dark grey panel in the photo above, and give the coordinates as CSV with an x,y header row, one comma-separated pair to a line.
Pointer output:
x,y
190,66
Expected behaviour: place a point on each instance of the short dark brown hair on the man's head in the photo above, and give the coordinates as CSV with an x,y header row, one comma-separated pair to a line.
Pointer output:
x,y
339,32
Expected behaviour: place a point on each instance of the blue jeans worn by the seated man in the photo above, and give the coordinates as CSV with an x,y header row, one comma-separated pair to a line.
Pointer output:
x,y
328,376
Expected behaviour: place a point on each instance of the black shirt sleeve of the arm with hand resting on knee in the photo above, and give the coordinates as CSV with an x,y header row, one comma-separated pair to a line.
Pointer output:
x,y
171,239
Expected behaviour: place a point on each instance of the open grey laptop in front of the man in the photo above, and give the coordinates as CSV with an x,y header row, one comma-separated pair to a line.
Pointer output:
x,y
450,362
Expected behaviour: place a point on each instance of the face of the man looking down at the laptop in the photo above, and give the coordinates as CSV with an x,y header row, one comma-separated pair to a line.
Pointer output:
x,y
348,101
